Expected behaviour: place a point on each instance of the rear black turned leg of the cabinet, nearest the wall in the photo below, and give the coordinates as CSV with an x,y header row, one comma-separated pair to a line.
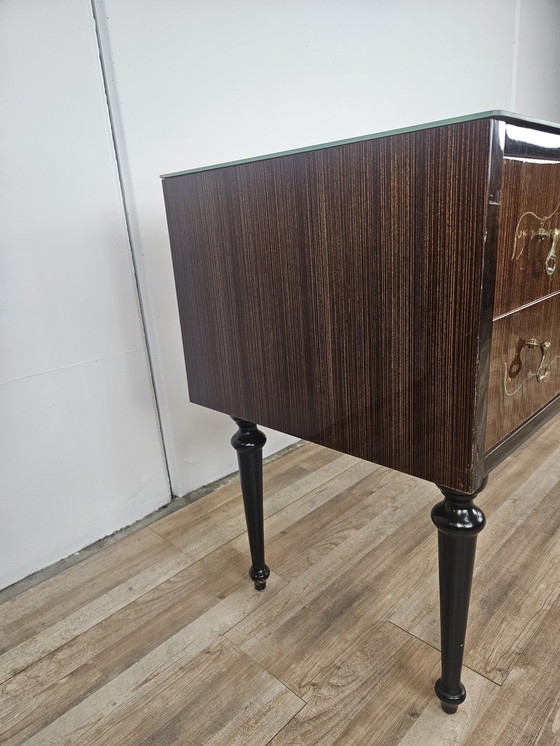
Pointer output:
x,y
248,441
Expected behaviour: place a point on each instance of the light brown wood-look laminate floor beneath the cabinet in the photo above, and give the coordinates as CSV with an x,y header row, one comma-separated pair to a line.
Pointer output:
x,y
160,639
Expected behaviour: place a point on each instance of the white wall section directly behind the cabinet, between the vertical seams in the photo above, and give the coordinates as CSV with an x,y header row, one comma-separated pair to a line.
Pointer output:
x,y
195,83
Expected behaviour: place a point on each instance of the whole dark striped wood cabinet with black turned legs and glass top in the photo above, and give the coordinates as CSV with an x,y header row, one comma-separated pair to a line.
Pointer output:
x,y
395,297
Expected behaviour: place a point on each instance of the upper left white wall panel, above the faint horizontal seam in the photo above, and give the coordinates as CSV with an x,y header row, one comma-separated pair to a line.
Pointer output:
x,y
65,280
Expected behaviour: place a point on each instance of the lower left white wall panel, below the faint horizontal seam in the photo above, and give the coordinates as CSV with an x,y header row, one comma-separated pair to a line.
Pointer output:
x,y
81,459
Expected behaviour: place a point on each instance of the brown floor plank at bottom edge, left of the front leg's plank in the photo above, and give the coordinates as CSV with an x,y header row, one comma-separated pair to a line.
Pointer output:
x,y
219,696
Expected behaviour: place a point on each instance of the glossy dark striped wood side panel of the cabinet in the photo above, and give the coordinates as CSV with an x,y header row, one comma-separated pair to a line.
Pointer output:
x,y
336,295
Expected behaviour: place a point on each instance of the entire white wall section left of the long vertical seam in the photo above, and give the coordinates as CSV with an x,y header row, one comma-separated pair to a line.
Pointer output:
x,y
81,450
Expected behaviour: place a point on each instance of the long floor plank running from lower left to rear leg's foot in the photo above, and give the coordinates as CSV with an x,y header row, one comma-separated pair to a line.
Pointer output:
x,y
66,676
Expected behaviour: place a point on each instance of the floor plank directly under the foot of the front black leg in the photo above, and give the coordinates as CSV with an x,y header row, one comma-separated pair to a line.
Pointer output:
x,y
379,690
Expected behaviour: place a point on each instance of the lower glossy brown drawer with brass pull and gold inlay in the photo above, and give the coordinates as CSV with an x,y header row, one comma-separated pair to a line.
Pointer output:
x,y
524,366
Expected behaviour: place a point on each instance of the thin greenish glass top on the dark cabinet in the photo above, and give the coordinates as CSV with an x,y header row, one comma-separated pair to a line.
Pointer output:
x,y
495,114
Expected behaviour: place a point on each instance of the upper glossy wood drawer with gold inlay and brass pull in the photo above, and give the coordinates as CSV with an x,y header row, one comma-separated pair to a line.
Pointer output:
x,y
528,233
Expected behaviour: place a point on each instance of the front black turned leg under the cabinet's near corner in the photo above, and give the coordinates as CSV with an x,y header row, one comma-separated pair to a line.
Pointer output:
x,y
458,522
